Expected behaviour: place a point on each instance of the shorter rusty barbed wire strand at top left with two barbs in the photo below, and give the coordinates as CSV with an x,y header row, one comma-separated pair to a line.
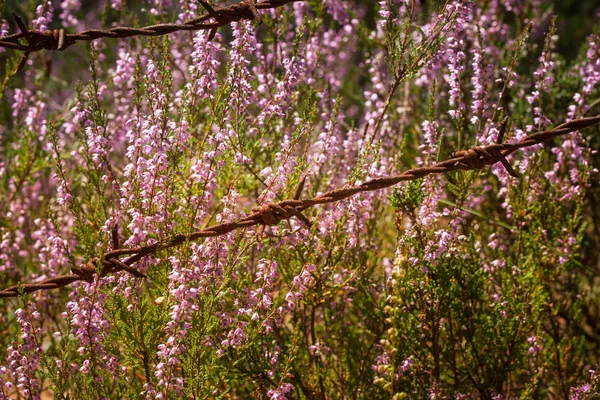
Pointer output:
x,y
57,39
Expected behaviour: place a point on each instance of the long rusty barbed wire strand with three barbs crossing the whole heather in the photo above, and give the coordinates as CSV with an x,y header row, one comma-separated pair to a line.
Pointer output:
x,y
272,213
